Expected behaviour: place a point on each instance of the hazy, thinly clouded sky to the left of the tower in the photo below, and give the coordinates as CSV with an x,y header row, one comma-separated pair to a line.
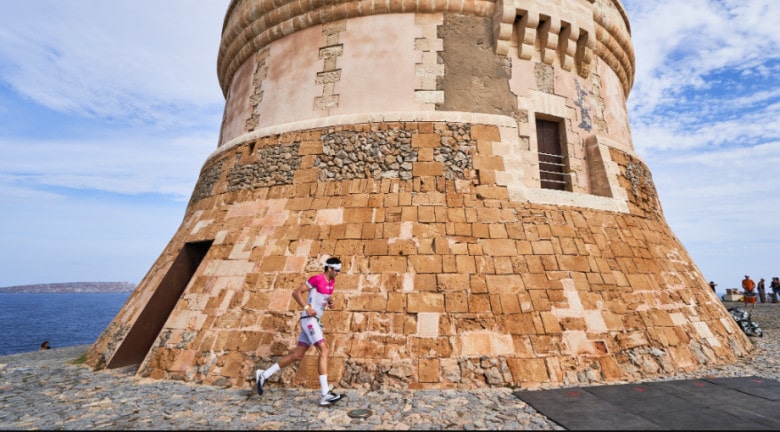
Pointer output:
x,y
107,112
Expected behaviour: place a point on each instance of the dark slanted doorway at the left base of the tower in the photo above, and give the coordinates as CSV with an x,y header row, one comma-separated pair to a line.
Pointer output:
x,y
141,336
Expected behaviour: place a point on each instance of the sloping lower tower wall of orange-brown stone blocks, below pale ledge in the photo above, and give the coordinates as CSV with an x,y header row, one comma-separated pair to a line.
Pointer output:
x,y
447,283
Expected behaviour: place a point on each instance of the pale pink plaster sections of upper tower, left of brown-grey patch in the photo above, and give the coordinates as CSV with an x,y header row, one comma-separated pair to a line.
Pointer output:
x,y
377,74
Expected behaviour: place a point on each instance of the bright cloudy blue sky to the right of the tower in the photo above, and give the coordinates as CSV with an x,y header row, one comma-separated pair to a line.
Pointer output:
x,y
704,115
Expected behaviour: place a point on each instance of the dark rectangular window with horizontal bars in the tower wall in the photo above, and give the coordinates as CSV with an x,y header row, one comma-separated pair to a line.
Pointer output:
x,y
552,160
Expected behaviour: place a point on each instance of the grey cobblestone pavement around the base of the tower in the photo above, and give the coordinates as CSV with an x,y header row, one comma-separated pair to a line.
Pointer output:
x,y
48,390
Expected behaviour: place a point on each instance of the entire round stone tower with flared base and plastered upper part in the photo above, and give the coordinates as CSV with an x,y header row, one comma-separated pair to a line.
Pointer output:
x,y
470,162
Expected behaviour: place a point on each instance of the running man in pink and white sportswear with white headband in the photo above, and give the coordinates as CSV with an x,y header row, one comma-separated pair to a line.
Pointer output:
x,y
319,289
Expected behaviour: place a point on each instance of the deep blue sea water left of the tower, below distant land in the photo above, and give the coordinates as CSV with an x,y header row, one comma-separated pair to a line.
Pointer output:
x,y
63,319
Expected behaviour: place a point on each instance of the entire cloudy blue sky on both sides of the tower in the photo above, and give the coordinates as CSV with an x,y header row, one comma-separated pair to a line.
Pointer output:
x,y
108,111
